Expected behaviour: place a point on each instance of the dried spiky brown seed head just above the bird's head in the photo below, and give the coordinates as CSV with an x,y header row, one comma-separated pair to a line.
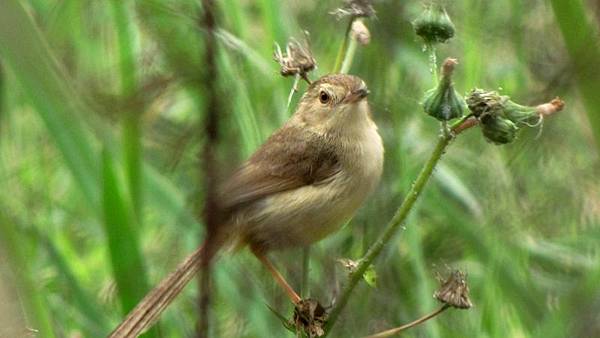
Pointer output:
x,y
297,60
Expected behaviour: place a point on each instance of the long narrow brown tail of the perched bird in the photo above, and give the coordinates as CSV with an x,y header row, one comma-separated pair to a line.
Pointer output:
x,y
155,302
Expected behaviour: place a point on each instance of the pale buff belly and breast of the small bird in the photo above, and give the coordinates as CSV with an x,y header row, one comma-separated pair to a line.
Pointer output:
x,y
303,216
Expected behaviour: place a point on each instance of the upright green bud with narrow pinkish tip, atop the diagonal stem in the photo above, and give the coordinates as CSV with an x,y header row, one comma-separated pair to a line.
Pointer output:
x,y
443,102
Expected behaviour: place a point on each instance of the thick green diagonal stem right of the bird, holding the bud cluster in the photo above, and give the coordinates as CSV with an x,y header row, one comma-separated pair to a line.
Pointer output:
x,y
399,218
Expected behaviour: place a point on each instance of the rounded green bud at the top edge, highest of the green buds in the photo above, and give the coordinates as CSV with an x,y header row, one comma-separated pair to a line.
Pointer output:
x,y
434,25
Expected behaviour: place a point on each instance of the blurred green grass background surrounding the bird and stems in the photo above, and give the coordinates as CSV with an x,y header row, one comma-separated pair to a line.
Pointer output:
x,y
522,220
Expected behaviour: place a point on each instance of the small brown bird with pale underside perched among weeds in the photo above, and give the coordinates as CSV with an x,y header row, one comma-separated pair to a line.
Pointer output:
x,y
302,184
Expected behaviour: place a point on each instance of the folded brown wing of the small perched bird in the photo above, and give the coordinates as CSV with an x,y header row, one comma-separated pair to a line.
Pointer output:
x,y
289,159
